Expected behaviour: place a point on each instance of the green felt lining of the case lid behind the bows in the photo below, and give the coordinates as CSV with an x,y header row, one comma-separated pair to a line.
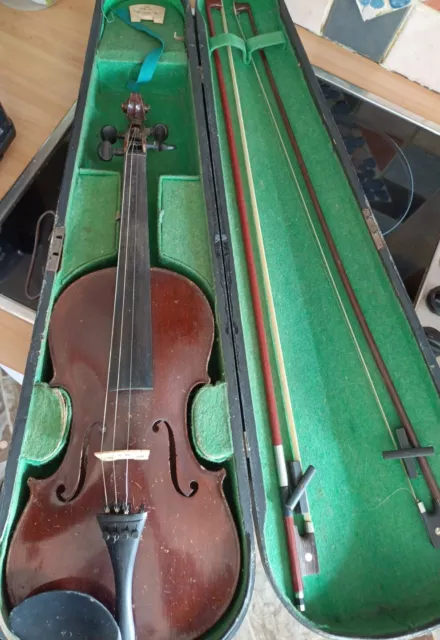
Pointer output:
x,y
379,574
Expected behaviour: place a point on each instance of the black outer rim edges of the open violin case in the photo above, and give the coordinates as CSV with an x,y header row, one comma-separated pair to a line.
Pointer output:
x,y
249,474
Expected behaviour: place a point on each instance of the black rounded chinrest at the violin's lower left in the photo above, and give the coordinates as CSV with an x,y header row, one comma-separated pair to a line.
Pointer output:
x,y
55,615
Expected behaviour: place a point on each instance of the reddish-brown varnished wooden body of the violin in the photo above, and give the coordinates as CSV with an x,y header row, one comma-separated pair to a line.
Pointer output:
x,y
188,560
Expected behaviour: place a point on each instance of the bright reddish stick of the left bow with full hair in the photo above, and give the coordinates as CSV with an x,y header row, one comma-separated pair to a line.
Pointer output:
x,y
277,440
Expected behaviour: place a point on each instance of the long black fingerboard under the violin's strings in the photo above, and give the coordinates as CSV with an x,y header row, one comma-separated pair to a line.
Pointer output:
x,y
131,352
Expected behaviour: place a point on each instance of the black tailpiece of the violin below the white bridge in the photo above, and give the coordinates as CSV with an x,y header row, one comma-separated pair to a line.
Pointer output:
x,y
122,533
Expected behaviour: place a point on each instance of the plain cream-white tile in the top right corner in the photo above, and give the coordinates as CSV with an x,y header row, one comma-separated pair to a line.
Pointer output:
x,y
416,52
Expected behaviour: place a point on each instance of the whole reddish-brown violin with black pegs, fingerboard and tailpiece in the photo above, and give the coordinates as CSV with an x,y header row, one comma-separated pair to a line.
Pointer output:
x,y
131,517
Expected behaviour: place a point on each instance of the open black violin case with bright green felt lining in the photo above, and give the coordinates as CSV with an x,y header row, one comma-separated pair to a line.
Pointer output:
x,y
379,575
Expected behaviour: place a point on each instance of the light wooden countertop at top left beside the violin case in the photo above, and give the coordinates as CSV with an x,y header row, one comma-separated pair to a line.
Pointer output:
x,y
41,61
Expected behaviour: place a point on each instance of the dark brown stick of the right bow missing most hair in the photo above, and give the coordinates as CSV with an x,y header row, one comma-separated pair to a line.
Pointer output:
x,y
431,520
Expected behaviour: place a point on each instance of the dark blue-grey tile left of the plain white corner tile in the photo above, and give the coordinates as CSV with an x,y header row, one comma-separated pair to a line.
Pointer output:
x,y
372,38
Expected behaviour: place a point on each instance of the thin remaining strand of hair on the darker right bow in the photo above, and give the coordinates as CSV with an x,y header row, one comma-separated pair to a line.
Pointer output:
x,y
328,269
